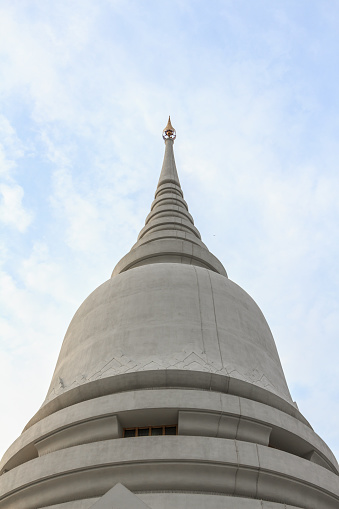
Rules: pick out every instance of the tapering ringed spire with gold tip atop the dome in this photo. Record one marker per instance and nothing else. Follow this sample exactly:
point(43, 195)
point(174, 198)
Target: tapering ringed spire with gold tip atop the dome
point(169, 234)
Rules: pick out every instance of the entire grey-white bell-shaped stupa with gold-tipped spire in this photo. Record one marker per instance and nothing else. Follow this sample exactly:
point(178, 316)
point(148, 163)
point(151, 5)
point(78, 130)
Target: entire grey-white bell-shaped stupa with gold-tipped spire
point(169, 392)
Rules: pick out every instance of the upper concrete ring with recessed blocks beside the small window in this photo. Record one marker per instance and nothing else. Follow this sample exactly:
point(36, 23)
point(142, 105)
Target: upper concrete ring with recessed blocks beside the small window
point(200, 413)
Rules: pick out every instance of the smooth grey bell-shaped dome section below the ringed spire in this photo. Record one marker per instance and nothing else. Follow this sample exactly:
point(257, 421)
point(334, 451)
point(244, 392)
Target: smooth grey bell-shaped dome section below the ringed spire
point(169, 316)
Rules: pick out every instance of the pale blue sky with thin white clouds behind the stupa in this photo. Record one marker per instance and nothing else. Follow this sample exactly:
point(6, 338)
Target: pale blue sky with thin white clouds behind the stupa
point(85, 91)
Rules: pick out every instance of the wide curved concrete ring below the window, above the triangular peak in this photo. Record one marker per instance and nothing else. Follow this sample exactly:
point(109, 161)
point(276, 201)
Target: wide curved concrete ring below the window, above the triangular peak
point(179, 463)
